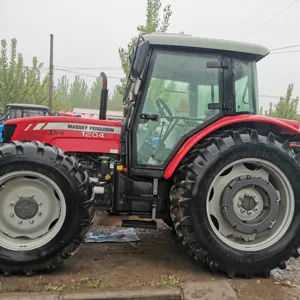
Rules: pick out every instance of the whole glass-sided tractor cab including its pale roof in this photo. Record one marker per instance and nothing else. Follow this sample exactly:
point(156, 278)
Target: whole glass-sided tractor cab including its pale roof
point(179, 85)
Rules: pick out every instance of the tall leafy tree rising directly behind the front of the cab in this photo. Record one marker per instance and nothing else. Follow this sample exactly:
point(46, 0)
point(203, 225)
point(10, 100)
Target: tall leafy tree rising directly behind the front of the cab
point(153, 24)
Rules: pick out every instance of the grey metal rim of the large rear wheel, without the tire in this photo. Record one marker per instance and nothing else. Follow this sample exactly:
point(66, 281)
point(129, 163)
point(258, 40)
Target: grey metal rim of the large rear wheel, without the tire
point(250, 204)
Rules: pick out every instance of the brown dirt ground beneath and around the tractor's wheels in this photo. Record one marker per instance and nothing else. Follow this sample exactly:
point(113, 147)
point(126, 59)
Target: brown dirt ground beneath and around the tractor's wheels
point(157, 260)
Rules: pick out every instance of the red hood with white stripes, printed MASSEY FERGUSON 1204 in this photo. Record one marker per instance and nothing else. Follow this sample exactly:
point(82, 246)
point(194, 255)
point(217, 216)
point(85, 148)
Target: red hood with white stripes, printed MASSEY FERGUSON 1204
point(71, 134)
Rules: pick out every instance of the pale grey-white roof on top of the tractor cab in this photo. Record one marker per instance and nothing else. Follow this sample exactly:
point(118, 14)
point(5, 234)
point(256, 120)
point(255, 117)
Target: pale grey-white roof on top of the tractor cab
point(185, 40)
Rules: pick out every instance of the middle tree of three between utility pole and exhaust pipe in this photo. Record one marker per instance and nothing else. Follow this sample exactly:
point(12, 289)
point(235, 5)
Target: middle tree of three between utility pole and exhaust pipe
point(79, 93)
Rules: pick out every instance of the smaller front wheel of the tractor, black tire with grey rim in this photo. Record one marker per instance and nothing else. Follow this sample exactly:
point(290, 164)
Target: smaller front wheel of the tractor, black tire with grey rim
point(46, 207)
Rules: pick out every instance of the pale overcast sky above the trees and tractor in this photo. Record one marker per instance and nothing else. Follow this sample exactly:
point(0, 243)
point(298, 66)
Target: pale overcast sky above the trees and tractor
point(87, 34)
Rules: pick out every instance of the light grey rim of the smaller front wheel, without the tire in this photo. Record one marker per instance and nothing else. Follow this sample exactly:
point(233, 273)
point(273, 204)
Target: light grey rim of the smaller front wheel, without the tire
point(32, 210)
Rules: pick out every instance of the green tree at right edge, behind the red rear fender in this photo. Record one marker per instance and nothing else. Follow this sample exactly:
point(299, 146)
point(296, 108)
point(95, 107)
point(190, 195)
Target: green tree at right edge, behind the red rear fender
point(286, 108)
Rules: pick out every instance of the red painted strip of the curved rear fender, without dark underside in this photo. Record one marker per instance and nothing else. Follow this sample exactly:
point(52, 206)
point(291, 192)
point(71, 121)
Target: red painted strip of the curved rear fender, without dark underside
point(288, 126)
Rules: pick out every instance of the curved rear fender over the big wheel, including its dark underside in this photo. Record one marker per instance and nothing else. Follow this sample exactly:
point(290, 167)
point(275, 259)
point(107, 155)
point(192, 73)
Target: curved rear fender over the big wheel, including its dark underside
point(267, 124)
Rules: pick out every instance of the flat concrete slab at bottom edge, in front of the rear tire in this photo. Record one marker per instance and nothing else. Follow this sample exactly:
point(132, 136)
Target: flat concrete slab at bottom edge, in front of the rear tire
point(209, 290)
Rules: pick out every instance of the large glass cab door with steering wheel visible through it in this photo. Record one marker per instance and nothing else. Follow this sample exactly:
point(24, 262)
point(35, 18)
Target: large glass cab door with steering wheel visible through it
point(175, 103)
